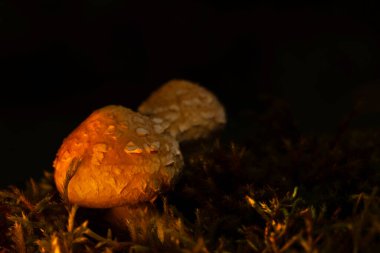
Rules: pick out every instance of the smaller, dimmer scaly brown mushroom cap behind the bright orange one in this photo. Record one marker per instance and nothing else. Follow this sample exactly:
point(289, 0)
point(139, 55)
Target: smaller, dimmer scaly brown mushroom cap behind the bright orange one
point(184, 109)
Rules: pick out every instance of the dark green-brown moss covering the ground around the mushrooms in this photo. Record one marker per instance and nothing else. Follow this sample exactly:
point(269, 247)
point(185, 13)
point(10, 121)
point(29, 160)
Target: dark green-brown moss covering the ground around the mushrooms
point(258, 186)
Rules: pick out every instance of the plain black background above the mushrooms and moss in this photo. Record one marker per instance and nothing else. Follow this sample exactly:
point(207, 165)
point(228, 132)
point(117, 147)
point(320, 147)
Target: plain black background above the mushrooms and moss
point(60, 60)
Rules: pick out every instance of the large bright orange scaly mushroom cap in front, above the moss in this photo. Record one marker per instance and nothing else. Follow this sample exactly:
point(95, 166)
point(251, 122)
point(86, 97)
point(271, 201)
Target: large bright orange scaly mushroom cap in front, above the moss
point(121, 160)
